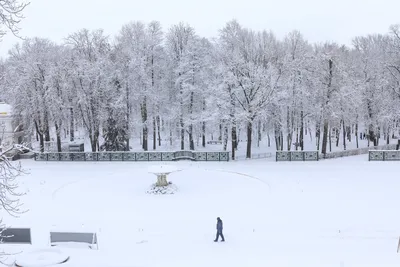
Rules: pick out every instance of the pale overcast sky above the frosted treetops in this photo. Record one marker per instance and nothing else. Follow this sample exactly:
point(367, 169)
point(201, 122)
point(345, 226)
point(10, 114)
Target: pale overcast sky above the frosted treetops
point(318, 20)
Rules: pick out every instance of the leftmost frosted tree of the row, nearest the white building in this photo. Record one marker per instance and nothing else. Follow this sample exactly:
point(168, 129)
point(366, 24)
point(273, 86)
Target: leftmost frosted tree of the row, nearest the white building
point(26, 81)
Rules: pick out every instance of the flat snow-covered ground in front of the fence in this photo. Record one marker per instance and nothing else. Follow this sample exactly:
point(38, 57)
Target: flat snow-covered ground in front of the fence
point(341, 213)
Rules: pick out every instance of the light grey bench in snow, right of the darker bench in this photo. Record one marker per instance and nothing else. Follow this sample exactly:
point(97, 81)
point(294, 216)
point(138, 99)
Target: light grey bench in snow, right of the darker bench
point(74, 239)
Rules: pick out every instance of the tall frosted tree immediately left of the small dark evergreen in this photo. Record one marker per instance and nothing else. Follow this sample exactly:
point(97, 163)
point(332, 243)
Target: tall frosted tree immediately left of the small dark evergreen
point(90, 79)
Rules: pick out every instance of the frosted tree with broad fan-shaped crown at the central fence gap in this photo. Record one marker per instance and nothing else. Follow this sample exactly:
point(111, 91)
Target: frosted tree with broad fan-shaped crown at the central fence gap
point(255, 69)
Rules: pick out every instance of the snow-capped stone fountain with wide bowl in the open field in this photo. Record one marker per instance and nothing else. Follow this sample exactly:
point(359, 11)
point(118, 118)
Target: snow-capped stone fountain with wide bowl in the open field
point(162, 185)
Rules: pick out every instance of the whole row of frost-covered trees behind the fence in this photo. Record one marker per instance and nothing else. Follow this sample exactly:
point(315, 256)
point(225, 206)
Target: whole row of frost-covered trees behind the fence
point(179, 86)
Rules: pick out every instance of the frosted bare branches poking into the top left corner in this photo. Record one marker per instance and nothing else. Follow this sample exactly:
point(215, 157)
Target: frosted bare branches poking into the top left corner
point(11, 15)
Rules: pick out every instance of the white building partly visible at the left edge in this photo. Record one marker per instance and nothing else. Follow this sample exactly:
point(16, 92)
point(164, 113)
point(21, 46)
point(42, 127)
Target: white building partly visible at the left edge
point(11, 132)
